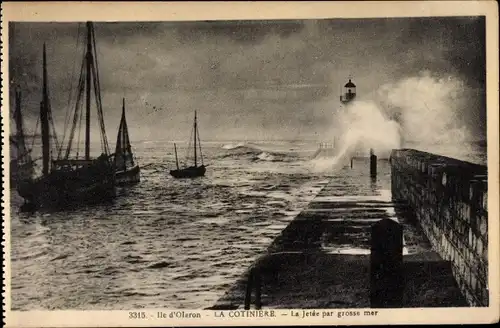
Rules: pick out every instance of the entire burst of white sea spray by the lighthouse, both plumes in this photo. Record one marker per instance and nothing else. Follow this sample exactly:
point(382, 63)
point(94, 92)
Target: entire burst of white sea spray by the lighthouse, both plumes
point(421, 111)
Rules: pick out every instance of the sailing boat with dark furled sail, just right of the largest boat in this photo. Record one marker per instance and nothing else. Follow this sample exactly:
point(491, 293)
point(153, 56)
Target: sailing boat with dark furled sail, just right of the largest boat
point(127, 171)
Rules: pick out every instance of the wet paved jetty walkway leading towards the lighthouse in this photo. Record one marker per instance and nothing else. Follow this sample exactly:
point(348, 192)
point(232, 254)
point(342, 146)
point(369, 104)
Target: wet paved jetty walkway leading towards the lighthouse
point(321, 259)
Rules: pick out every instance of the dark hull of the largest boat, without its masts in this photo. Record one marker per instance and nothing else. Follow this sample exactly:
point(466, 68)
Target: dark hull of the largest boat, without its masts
point(62, 189)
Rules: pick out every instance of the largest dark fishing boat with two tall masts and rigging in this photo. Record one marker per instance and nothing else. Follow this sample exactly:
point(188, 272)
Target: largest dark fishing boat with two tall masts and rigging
point(72, 179)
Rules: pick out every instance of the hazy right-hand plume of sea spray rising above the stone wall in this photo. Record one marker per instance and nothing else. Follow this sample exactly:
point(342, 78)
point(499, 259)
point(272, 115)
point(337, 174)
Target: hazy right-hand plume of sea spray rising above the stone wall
point(428, 108)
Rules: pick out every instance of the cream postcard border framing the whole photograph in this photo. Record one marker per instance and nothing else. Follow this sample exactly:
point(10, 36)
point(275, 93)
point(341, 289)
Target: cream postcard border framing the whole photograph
point(177, 11)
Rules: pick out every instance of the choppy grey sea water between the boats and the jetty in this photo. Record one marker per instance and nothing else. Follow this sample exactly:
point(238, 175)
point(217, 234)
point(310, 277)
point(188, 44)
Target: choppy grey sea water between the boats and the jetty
point(165, 242)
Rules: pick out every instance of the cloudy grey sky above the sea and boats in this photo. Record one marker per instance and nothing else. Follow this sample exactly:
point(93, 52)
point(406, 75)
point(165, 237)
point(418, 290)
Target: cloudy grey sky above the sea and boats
point(259, 80)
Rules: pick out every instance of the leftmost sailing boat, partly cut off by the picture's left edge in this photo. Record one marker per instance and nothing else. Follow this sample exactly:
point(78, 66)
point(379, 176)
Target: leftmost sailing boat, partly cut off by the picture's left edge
point(21, 164)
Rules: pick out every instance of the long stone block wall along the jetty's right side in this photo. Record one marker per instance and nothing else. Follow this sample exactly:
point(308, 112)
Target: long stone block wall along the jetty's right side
point(450, 200)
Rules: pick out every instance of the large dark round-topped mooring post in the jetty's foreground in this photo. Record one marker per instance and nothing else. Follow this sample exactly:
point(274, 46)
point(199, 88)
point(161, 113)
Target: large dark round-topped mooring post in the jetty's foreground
point(386, 265)
